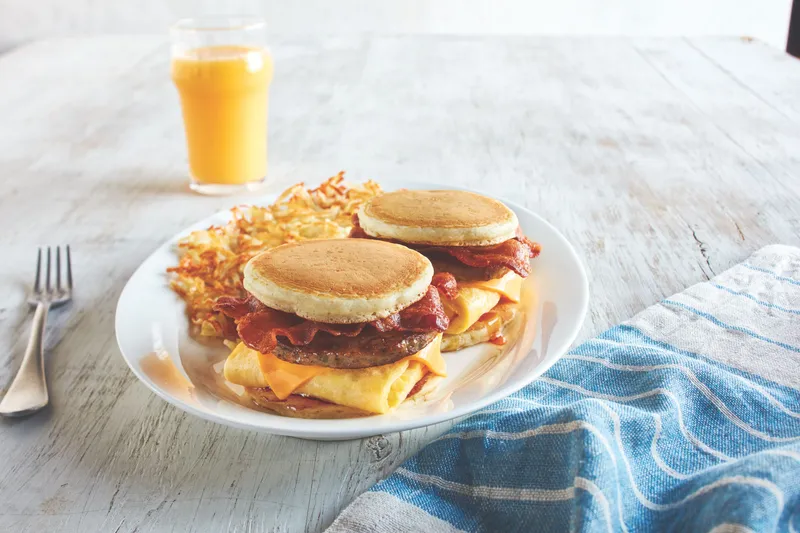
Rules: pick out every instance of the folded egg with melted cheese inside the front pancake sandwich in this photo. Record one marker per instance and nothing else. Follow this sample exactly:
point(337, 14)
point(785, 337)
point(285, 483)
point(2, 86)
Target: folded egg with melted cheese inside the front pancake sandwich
point(376, 389)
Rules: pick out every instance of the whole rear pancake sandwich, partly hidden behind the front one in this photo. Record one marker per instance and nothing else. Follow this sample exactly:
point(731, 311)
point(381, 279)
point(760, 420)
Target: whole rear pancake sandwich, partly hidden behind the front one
point(473, 241)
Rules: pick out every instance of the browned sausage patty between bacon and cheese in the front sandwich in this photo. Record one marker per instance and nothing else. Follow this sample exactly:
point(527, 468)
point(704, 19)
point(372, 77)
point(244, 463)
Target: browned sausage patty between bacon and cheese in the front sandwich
point(370, 348)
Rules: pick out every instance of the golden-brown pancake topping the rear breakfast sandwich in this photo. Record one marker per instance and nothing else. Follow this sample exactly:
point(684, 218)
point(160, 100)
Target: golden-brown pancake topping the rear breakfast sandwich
point(442, 218)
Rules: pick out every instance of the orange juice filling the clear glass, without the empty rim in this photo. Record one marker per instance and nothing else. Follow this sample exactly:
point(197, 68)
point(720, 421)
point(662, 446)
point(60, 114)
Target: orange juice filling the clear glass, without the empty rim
point(224, 97)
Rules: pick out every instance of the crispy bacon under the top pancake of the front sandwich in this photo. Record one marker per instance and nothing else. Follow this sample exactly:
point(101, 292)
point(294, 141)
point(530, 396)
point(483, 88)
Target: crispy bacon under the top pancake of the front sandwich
point(260, 326)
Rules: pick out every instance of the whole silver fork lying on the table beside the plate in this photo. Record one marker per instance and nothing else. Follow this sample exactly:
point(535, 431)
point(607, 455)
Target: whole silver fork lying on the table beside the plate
point(28, 392)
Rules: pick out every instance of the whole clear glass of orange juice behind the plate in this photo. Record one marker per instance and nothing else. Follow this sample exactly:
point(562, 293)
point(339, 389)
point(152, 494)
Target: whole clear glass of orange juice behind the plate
point(222, 70)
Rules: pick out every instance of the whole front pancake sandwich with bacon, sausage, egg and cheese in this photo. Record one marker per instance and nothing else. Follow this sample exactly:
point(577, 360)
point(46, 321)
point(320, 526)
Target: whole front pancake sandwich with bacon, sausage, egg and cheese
point(336, 328)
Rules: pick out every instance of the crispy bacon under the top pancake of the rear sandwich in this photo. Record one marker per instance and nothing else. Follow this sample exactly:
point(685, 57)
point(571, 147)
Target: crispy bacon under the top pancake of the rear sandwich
point(514, 254)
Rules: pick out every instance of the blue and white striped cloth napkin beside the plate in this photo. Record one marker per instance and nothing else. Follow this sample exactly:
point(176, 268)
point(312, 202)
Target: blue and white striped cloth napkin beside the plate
point(685, 418)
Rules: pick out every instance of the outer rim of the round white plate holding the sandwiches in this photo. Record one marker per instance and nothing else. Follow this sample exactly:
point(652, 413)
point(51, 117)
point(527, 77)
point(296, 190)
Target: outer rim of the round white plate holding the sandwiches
point(345, 433)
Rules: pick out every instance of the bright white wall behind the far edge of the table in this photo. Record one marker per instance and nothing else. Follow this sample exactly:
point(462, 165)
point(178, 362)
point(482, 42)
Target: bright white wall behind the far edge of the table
point(22, 20)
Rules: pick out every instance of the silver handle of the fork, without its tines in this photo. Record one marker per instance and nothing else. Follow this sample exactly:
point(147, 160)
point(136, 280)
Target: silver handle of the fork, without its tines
point(28, 391)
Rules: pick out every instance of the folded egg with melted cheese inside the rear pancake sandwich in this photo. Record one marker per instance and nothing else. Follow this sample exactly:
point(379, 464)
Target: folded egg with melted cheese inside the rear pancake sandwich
point(478, 297)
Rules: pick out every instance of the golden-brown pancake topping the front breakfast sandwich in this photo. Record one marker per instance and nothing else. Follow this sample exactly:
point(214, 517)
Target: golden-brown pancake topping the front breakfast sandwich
point(339, 281)
